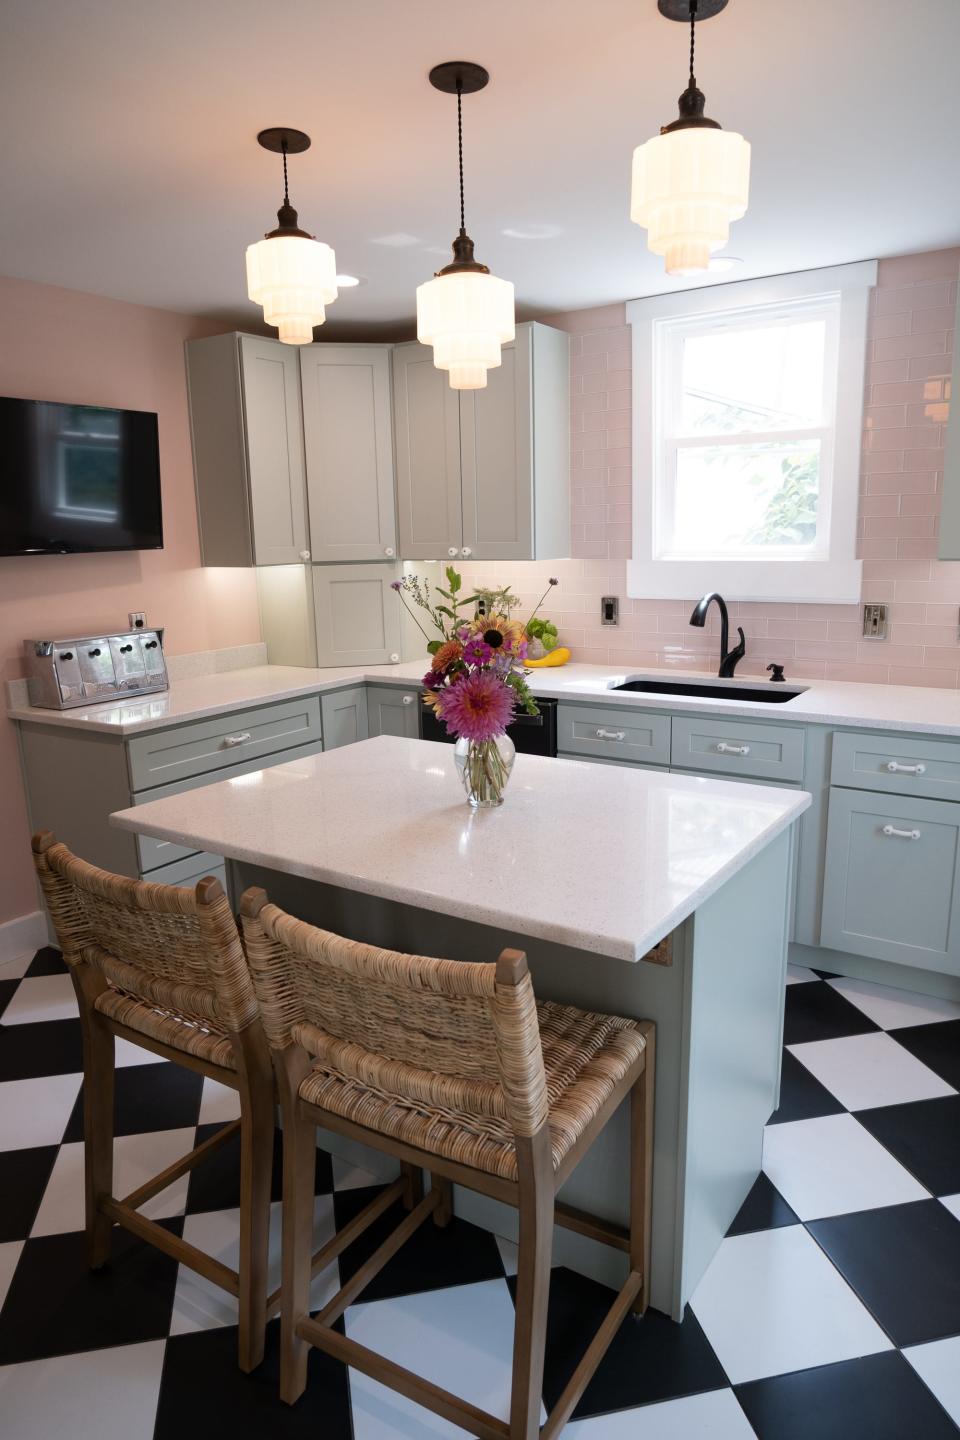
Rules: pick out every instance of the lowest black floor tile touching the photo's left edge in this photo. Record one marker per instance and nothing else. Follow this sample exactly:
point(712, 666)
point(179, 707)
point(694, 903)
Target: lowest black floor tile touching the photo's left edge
point(57, 1307)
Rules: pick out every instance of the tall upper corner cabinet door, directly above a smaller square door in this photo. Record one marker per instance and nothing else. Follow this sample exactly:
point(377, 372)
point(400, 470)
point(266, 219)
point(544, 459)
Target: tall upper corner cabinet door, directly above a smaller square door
point(349, 444)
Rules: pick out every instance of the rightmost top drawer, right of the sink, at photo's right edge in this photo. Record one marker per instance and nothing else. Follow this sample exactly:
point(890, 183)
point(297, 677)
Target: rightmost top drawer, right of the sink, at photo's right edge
point(903, 767)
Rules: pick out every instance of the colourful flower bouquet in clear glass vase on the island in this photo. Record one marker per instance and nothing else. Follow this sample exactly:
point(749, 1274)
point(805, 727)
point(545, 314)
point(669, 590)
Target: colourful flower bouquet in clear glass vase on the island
point(476, 680)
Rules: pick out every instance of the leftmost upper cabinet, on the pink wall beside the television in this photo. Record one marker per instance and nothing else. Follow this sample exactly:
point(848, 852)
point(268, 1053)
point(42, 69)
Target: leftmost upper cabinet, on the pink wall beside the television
point(248, 450)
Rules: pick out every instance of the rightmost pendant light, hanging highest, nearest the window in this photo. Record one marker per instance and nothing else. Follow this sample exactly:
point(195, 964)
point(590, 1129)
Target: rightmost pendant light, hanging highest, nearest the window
point(693, 179)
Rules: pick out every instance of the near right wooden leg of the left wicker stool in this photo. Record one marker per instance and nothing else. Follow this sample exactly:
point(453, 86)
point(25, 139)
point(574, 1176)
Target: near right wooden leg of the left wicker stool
point(257, 1164)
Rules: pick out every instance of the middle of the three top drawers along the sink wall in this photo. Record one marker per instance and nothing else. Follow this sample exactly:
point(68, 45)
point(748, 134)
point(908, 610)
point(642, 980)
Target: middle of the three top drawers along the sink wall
point(768, 752)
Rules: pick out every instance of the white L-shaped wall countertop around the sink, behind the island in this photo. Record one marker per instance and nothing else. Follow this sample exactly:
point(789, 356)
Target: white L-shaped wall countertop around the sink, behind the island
point(836, 703)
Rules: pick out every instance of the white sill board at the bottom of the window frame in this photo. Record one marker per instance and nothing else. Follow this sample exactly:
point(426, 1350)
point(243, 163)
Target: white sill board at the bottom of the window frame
point(802, 582)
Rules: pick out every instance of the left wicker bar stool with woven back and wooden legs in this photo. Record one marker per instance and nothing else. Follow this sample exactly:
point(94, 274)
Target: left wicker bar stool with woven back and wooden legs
point(163, 967)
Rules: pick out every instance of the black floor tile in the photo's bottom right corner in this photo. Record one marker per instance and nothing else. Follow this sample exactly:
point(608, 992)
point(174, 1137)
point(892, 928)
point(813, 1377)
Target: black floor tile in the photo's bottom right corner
point(877, 1398)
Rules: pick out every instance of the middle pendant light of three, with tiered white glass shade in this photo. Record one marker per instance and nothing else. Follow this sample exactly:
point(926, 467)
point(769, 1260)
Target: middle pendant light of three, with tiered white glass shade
point(466, 313)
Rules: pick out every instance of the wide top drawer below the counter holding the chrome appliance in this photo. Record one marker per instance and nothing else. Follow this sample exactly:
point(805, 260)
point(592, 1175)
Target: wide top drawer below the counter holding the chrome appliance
point(207, 747)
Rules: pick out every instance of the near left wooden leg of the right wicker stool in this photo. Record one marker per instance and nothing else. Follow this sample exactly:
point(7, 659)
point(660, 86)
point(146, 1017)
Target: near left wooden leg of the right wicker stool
point(300, 1160)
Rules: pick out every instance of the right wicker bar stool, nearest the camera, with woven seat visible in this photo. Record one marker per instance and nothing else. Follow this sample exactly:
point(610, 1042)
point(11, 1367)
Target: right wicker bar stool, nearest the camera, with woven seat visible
point(456, 1069)
